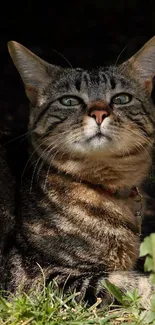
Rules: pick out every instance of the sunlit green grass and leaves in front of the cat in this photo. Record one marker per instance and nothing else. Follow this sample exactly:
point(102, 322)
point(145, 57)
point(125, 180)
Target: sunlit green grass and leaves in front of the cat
point(48, 306)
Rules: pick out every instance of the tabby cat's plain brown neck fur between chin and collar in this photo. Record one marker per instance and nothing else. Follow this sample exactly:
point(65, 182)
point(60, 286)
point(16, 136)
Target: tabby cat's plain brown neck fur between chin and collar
point(121, 172)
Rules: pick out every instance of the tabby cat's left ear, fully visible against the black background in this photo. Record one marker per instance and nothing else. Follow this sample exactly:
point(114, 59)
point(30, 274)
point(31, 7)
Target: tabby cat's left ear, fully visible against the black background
point(34, 71)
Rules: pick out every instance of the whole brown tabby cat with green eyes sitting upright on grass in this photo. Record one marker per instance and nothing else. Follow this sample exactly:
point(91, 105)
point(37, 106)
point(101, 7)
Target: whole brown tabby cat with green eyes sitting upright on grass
point(91, 136)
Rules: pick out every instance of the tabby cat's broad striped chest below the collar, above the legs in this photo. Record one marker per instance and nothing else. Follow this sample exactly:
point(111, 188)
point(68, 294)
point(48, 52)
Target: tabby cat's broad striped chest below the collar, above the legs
point(79, 225)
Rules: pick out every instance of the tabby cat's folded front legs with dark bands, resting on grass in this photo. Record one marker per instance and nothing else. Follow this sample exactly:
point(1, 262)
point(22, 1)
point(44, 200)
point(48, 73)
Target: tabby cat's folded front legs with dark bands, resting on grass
point(90, 287)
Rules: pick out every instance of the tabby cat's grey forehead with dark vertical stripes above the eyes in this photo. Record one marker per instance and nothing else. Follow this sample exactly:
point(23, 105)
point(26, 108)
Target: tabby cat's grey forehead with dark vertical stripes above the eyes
point(91, 83)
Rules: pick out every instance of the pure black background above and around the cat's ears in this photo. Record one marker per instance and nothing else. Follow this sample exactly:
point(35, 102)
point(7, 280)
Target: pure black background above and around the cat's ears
point(87, 33)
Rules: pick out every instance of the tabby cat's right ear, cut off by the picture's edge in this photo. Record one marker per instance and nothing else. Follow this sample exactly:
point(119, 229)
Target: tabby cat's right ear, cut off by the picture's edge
point(143, 63)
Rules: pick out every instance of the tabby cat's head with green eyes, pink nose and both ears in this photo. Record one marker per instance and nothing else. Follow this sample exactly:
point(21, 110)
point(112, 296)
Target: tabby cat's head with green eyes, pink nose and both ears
point(106, 111)
